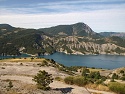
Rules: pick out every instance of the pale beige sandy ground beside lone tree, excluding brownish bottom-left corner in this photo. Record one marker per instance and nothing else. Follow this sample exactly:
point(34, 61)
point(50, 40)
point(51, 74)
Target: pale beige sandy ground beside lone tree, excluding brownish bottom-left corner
point(24, 73)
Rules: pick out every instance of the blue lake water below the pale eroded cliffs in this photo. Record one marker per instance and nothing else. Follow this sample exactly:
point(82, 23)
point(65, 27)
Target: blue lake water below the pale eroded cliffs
point(98, 61)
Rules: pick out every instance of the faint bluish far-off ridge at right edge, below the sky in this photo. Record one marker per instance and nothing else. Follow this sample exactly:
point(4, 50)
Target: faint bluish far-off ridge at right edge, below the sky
point(108, 34)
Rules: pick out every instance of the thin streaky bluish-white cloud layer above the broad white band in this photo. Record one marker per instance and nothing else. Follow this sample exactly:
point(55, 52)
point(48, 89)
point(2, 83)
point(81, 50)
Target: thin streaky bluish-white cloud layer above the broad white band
point(64, 7)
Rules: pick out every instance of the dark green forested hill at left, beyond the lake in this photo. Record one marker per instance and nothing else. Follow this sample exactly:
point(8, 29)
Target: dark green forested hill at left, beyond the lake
point(20, 40)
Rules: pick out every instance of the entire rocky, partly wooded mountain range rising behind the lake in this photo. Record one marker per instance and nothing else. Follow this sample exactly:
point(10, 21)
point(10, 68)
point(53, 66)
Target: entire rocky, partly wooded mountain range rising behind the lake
point(77, 38)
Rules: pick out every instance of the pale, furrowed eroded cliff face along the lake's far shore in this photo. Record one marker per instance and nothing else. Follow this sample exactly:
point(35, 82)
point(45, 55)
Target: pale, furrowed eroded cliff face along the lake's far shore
point(82, 47)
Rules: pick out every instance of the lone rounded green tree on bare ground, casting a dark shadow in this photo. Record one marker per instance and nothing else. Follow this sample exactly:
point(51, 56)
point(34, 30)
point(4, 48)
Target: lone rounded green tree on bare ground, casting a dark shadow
point(43, 80)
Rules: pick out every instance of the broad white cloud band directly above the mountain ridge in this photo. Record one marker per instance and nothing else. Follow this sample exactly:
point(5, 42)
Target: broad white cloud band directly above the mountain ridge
point(104, 20)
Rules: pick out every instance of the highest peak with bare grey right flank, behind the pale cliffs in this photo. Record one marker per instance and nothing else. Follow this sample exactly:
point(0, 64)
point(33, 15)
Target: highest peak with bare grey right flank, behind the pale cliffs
point(78, 29)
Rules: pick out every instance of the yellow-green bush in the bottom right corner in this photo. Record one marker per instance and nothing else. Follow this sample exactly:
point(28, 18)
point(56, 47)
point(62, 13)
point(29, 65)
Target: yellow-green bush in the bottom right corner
point(117, 87)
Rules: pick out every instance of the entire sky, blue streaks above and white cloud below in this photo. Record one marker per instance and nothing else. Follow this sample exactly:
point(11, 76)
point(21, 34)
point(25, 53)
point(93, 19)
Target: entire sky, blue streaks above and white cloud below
point(100, 15)
